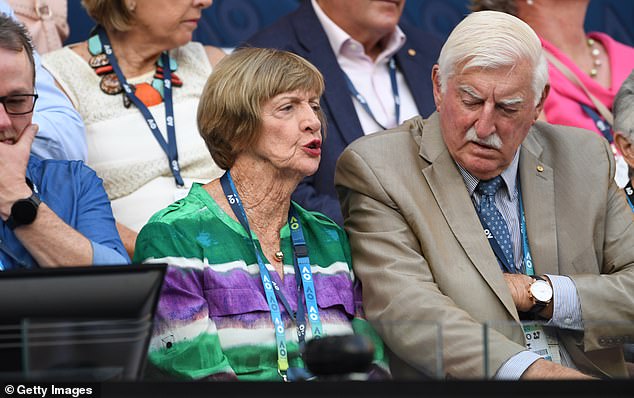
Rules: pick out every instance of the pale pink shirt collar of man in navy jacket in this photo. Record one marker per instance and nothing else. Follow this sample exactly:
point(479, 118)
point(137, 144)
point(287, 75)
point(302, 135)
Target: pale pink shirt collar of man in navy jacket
point(340, 40)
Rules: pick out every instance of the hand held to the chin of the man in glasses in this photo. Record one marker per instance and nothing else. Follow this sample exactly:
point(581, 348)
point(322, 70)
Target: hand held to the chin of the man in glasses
point(14, 157)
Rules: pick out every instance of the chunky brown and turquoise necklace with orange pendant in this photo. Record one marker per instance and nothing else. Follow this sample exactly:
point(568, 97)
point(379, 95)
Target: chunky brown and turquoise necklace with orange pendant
point(149, 94)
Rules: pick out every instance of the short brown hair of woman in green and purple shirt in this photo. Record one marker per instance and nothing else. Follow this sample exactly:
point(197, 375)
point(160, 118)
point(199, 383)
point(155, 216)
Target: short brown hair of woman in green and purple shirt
point(229, 112)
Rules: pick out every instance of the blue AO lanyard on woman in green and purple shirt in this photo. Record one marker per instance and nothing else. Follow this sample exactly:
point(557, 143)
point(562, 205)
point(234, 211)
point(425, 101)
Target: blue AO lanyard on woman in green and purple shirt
point(271, 289)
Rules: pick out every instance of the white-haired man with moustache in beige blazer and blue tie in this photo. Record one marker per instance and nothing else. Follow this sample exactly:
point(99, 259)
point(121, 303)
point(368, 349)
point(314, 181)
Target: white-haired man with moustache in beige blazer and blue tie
point(479, 215)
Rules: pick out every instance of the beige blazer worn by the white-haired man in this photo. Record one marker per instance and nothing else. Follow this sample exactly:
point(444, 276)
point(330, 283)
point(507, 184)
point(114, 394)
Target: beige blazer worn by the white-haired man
point(422, 256)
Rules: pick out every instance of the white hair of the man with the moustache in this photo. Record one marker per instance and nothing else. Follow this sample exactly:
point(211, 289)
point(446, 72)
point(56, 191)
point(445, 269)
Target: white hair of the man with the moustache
point(492, 40)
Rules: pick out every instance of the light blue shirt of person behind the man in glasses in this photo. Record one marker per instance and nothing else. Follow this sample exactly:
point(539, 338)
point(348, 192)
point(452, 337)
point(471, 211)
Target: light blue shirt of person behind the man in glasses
point(61, 133)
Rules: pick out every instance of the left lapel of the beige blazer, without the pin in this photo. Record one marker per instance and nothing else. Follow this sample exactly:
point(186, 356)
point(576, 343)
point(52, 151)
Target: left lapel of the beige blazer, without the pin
point(452, 197)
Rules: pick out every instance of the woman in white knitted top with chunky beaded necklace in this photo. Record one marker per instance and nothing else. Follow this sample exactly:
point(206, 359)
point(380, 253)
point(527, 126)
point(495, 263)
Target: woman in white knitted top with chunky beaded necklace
point(136, 82)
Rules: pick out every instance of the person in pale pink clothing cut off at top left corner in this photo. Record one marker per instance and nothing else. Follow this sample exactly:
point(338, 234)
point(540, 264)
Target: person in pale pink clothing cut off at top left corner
point(45, 20)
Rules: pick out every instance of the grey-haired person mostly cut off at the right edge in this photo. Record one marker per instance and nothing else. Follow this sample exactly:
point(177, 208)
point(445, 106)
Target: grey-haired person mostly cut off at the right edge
point(624, 130)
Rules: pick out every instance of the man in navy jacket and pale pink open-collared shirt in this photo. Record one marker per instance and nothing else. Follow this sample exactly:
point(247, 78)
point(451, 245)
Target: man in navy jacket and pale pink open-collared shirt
point(375, 72)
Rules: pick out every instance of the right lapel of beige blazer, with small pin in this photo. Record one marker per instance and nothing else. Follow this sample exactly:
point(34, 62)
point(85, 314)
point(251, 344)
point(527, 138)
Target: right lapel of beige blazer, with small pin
point(538, 194)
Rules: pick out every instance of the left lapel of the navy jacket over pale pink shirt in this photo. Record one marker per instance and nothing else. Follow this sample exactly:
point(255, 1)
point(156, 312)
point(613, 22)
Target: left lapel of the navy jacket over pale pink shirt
point(336, 98)
